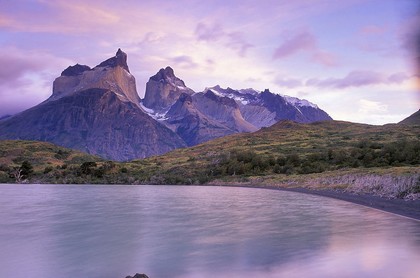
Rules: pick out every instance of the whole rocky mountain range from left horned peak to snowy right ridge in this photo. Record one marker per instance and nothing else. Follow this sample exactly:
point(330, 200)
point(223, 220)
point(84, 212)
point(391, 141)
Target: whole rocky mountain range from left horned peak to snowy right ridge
point(98, 111)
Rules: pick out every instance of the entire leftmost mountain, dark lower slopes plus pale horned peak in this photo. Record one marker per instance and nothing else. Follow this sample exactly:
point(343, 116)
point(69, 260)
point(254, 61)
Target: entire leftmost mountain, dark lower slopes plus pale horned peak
point(95, 111)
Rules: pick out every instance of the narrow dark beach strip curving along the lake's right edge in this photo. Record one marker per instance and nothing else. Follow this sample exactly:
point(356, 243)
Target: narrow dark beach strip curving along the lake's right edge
point(401, 207)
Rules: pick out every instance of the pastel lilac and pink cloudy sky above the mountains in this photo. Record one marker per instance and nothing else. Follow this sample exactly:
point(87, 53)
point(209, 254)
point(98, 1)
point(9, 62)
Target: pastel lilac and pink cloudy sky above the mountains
point(352, 58)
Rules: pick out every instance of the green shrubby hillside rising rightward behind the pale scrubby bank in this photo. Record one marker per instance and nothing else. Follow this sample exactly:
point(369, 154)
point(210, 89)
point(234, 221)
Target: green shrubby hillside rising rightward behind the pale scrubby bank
point(288, 148)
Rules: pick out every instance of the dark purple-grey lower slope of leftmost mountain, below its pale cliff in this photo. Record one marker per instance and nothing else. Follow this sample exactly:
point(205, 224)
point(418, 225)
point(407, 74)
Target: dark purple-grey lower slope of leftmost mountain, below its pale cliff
point(95, 121)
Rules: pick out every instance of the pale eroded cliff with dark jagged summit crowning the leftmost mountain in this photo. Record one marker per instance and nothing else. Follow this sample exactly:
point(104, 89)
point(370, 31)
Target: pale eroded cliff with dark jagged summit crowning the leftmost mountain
point(112, 74)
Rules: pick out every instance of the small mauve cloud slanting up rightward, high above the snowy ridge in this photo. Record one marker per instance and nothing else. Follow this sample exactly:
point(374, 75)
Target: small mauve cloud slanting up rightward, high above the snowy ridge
point(302, 41)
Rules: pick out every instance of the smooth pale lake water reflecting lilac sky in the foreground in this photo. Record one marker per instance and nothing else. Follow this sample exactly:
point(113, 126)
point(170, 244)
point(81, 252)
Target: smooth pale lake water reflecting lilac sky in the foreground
point(192, 231)
